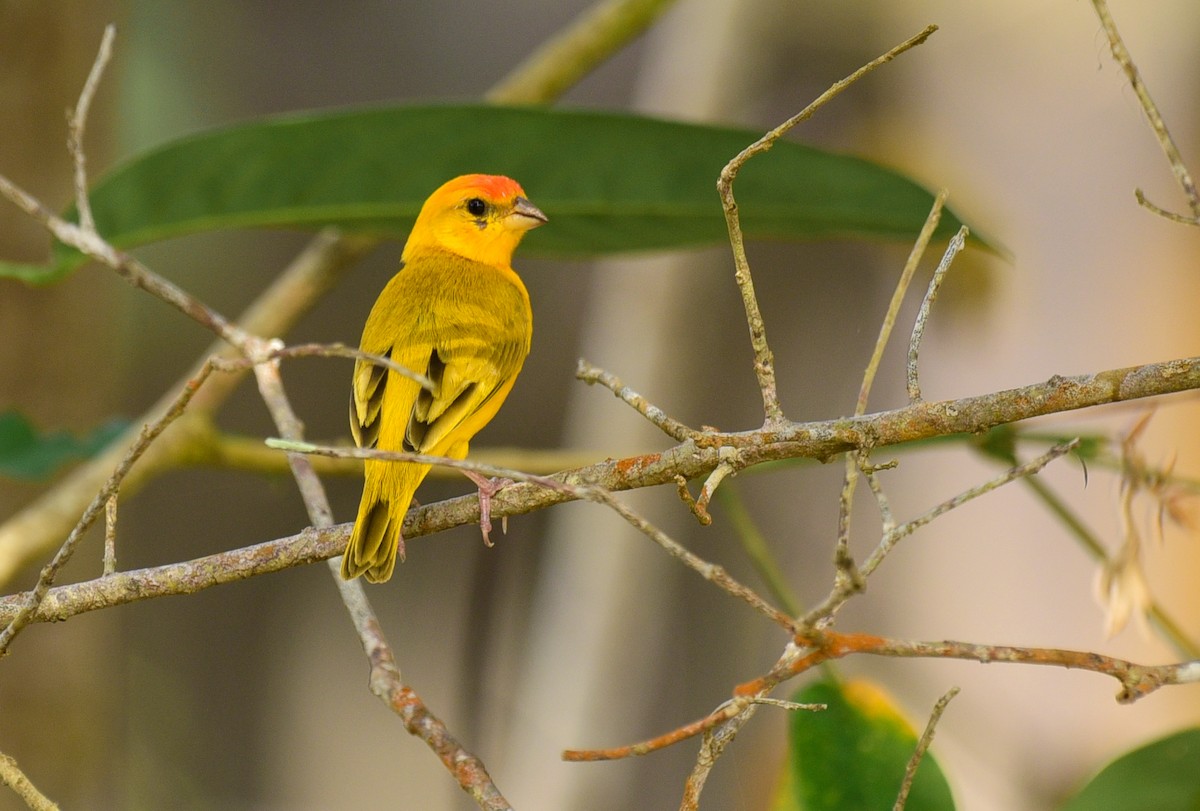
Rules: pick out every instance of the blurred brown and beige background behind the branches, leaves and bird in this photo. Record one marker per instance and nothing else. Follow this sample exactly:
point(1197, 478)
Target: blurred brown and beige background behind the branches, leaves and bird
point(573, 633)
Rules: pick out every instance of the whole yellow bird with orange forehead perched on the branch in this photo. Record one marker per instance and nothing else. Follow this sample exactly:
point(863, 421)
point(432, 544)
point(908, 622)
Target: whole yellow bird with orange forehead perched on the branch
point(458, 314)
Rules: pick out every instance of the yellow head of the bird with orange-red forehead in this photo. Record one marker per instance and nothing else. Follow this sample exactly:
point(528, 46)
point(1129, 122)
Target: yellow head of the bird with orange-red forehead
point(482, 218)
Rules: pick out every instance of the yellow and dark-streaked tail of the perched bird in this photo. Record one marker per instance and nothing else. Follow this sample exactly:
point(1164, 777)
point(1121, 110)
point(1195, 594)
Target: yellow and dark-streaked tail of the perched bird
point(376, 540)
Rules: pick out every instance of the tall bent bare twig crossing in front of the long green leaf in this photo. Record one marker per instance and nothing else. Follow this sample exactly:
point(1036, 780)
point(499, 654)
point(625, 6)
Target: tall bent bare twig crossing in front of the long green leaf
point(765, 363)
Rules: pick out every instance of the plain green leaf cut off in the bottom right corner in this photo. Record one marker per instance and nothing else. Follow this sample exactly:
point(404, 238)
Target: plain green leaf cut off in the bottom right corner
point(1163, 776)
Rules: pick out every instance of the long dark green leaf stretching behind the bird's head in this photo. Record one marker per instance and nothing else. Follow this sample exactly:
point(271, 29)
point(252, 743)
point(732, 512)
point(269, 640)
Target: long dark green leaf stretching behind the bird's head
point(610, 183)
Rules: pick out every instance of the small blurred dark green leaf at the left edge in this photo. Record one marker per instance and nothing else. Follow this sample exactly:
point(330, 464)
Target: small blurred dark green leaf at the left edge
point(29, 455)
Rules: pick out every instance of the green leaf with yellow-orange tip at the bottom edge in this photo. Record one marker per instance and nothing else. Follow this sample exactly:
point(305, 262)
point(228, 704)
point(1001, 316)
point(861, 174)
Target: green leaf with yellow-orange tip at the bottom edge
point(853, 756)
